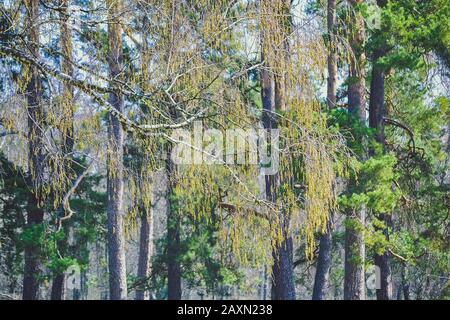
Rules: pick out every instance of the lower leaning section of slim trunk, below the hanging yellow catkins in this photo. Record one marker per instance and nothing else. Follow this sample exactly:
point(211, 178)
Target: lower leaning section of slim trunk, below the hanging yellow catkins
point(321, 279)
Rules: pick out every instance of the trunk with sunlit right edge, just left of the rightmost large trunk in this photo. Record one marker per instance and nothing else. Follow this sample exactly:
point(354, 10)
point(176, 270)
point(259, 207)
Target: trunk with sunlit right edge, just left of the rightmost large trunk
point(354, 279)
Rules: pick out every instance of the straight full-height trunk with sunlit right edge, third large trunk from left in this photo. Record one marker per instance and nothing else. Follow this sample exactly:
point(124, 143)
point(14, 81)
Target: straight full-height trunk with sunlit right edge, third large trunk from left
point(116, 241)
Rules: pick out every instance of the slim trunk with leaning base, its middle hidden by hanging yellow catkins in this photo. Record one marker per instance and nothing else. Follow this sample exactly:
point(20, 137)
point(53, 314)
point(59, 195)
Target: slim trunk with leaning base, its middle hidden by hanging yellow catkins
point(326, 240)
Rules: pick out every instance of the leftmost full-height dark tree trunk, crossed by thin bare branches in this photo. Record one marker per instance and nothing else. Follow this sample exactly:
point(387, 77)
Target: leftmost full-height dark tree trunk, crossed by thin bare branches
point(35, 213)
